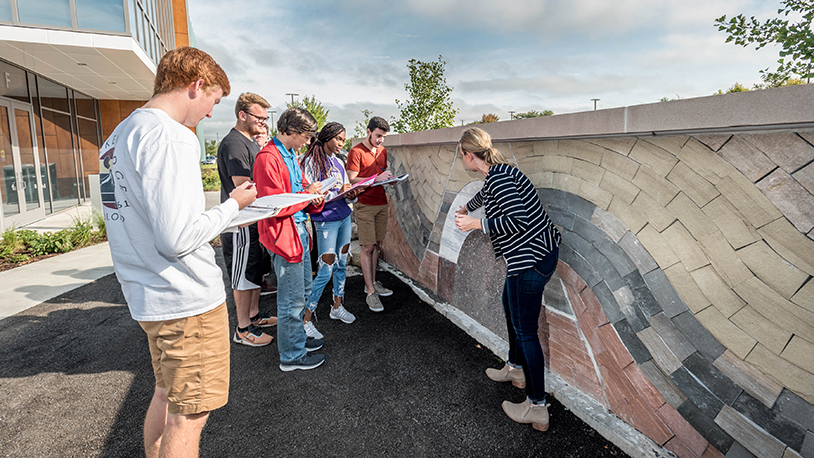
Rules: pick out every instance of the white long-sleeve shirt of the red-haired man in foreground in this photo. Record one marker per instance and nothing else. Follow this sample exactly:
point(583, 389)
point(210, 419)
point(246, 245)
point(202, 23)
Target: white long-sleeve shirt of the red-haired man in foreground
point(157, 225)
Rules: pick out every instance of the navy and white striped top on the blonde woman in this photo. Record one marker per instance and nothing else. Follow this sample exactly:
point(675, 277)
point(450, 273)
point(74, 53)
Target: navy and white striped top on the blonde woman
point(519, 227)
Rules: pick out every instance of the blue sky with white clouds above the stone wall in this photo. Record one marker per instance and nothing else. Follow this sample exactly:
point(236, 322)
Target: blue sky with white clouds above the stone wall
point(501, 55)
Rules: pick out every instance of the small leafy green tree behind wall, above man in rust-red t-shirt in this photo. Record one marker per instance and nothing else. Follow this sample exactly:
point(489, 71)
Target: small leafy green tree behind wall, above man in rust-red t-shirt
point(428, 105)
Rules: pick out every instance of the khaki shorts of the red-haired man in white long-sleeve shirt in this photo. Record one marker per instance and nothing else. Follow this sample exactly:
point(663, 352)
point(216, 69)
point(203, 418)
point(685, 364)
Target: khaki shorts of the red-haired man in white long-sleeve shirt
point(191, 360)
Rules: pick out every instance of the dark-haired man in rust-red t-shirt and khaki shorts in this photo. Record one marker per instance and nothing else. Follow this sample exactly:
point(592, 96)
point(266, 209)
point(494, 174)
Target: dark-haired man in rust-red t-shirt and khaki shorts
point(364, 161)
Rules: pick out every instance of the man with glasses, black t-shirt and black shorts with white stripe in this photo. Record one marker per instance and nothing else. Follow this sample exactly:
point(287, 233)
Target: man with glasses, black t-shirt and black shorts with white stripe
point(242, 252)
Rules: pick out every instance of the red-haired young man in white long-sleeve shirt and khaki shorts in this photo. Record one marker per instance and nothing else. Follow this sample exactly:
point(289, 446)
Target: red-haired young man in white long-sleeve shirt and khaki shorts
point(159, 239)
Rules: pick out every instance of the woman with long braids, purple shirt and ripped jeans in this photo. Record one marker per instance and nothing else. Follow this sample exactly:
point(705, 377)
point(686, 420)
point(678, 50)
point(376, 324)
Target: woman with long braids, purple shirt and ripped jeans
point(332, 225)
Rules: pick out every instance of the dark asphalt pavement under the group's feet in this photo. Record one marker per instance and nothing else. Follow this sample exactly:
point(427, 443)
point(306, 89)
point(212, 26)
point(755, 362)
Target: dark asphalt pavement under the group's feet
point(76, 380)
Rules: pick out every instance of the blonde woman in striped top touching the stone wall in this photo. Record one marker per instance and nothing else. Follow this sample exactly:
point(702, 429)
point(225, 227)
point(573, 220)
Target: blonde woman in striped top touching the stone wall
point(524, 235)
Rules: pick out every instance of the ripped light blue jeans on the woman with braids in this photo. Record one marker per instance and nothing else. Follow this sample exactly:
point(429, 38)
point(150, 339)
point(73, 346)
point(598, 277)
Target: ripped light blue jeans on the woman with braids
point(332, 237)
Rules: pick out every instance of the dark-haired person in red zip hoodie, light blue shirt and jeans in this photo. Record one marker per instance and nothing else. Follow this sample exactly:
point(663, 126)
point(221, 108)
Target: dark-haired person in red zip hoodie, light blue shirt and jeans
point(277, 171)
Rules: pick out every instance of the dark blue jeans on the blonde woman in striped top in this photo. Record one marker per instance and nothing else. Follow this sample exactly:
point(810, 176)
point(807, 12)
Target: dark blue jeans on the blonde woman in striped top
point(522, 302)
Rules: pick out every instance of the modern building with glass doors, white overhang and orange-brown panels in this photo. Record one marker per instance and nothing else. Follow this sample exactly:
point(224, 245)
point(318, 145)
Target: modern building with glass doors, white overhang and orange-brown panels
point(70, 71)
